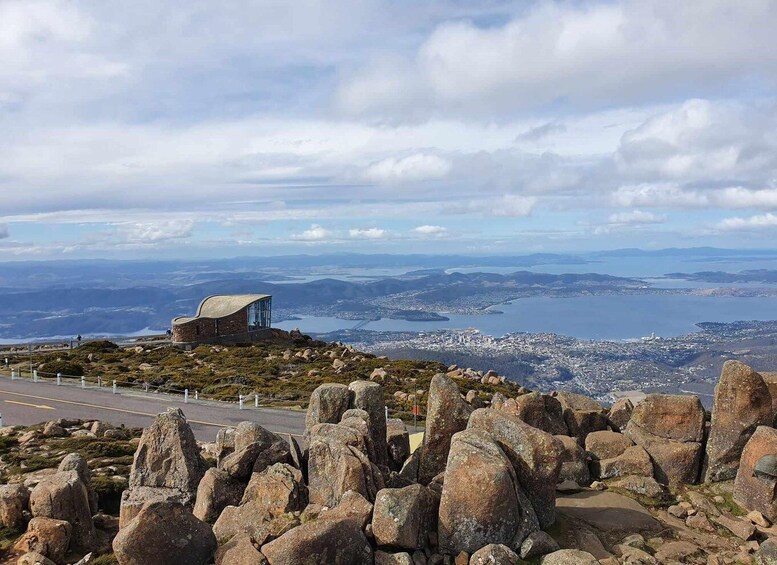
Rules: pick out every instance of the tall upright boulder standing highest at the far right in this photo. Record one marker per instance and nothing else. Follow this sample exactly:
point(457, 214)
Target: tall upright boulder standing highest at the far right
point(742, 403)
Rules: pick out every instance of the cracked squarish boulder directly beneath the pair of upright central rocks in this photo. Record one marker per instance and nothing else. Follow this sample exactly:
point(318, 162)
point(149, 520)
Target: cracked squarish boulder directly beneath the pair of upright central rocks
point(337, 463)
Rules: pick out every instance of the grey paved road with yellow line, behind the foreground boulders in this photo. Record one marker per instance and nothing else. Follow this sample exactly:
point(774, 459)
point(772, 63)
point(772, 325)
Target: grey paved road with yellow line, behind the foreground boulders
point(24, 403)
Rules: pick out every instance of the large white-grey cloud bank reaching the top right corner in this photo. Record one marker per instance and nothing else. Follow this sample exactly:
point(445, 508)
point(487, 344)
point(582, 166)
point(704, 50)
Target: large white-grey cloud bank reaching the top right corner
point(554, 53)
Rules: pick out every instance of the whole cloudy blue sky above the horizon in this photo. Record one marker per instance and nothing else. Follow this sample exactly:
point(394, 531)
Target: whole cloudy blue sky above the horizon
point(184, 129)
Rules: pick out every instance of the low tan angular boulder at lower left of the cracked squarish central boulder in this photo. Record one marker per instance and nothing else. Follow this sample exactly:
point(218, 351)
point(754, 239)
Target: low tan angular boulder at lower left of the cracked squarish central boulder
point(279, 489)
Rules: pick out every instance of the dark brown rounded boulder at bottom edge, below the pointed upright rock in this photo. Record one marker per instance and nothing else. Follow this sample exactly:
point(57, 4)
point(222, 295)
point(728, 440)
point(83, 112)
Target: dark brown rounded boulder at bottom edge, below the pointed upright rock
point(164, 533)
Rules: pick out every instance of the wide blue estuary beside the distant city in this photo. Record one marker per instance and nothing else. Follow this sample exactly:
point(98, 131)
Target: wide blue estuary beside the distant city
point(613, 317)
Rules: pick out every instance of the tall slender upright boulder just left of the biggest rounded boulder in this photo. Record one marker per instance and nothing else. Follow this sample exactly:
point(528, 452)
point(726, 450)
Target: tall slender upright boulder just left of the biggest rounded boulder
point(446, 414)
